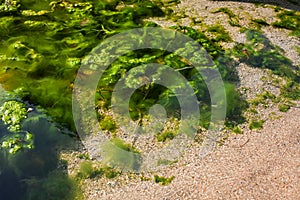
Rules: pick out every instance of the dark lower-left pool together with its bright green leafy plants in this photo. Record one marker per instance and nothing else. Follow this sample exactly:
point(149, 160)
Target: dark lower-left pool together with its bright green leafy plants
point(29, 154)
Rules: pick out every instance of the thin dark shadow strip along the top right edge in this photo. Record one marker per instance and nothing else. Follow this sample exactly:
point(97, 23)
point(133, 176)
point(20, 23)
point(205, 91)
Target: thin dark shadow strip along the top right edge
point(288, 4)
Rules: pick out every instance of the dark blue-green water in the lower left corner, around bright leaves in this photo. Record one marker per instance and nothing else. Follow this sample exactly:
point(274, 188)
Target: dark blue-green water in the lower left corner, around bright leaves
point(19, 170)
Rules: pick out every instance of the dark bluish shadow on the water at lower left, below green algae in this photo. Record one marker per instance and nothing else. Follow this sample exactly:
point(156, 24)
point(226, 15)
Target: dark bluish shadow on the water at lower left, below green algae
point(26, 174)
